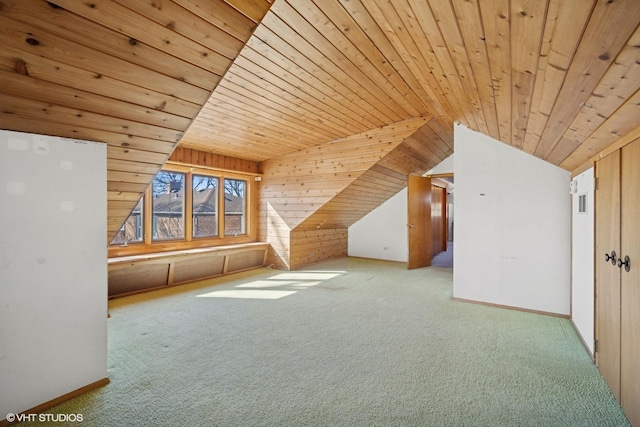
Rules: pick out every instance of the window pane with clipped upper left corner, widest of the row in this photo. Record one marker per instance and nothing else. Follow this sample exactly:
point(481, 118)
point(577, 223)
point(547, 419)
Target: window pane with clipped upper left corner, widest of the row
point(168, 206)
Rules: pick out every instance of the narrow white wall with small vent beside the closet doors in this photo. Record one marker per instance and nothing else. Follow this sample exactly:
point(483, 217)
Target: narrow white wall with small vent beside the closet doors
point(582, 267)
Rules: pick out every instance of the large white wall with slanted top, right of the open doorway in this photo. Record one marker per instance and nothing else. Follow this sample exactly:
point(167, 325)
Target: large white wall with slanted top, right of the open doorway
point(513, 226)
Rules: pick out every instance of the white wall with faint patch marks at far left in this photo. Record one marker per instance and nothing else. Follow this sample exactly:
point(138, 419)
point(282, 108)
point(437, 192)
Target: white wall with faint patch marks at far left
point(53, 269)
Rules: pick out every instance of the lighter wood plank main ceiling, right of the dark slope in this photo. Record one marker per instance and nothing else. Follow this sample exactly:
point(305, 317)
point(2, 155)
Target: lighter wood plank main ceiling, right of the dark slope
point(558, 78)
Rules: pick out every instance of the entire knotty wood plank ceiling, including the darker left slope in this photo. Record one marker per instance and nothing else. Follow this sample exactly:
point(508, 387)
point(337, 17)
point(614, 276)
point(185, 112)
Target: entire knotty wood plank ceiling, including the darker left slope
point(556, 78)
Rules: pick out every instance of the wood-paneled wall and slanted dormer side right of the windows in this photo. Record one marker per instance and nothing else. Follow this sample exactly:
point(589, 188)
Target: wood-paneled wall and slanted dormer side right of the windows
point(330, 187)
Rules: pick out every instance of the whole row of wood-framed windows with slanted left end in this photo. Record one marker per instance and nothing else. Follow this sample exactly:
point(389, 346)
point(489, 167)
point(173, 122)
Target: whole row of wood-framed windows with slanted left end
point(187, 206)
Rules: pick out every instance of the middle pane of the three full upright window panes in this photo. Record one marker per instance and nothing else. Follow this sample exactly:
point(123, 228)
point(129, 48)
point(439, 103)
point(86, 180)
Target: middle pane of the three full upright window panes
point(204, 203)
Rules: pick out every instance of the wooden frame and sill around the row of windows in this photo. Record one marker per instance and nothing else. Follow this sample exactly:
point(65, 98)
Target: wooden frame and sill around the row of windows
point(148, 245)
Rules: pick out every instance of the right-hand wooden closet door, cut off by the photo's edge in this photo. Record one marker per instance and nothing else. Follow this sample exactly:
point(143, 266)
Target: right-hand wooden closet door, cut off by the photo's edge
point(630, 282)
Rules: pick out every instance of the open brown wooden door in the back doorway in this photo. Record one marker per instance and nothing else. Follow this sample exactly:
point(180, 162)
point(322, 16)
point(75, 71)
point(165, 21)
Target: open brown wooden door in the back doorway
point(419, 221)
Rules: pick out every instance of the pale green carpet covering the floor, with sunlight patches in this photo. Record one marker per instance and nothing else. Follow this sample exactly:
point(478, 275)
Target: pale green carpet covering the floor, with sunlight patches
point(348, 342)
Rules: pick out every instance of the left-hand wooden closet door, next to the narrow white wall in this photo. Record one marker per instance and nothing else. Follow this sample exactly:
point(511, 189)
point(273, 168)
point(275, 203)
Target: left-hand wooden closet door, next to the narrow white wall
point(607, 274)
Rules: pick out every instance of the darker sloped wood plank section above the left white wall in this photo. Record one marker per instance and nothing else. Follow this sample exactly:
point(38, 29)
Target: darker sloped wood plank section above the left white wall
point(133, 74)
